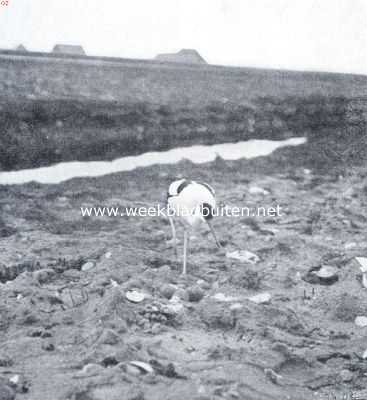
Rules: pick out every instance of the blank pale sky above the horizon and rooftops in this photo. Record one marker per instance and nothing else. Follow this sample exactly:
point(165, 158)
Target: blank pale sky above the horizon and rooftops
point(317, 35)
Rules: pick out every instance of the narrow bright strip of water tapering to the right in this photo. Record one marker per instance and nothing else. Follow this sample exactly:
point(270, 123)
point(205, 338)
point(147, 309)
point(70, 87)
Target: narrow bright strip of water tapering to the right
point(197, 154)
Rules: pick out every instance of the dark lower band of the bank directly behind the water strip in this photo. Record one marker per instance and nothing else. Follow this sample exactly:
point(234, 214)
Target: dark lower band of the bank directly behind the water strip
point(41, 132)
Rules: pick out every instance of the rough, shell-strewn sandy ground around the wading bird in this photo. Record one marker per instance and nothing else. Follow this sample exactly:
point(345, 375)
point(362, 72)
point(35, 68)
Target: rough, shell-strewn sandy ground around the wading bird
point(68, 331)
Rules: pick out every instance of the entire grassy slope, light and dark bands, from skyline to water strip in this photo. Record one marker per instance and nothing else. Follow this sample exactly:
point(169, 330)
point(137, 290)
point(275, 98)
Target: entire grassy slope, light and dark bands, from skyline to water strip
point(54, 110)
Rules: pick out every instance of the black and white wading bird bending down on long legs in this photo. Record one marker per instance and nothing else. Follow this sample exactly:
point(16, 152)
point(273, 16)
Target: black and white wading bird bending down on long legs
point(192, 204)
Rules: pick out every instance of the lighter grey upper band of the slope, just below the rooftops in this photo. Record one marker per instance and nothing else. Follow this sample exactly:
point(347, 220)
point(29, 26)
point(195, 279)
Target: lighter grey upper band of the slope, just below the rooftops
point(162, 83)
